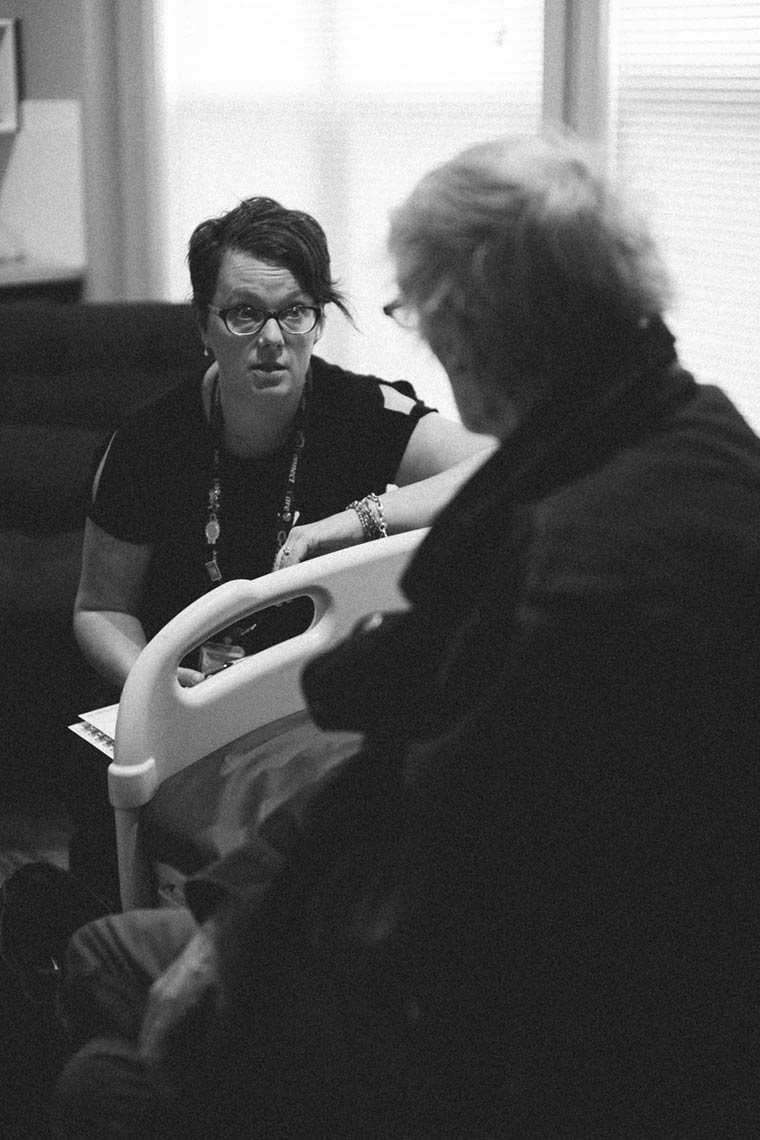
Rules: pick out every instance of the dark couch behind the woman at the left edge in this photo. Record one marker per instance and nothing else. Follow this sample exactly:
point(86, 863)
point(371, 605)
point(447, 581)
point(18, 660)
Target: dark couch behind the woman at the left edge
point(69, 373)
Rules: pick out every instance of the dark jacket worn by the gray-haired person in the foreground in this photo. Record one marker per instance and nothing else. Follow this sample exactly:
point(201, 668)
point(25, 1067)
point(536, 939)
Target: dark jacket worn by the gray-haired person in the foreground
point(530, 907)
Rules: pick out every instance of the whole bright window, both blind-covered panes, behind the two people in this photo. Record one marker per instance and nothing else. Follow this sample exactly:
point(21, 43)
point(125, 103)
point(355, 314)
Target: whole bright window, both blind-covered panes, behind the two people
point(339, 107)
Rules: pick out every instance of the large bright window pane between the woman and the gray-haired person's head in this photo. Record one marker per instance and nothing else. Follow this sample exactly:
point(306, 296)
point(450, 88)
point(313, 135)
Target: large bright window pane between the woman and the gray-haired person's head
point(338, 108)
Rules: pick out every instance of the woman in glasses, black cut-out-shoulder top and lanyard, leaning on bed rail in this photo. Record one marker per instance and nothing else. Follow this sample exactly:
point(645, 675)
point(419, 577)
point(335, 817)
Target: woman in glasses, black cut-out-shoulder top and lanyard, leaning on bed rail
point(276, 457)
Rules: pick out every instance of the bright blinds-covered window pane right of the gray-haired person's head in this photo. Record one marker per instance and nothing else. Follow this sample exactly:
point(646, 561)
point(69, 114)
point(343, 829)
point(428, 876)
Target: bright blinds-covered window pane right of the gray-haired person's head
point(687, 140)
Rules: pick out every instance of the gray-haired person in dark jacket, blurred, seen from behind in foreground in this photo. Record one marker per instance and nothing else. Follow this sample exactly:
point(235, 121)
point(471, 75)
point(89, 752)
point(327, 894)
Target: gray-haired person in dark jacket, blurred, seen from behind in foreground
point(529, 906)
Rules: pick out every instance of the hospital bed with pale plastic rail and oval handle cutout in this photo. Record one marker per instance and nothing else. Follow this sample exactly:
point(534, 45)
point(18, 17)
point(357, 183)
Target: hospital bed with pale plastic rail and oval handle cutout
point(195, 769)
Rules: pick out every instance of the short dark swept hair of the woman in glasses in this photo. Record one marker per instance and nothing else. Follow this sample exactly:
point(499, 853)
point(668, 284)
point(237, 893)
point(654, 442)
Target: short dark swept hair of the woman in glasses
point(265, 230)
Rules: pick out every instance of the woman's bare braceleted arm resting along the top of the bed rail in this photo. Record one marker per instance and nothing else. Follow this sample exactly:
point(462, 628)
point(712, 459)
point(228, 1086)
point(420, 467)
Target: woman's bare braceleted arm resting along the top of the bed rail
point(440, 458)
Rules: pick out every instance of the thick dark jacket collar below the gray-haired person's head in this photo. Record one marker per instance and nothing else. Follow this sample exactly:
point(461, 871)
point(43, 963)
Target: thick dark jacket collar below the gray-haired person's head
point(561, 441)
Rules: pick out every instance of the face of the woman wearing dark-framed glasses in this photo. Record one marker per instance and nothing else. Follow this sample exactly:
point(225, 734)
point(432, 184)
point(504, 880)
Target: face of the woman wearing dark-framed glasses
point(269, 365)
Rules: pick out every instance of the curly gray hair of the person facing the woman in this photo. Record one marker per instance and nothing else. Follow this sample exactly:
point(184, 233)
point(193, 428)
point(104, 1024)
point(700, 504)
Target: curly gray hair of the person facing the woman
point(525, 255)
